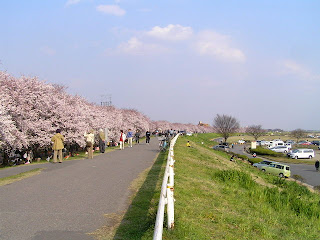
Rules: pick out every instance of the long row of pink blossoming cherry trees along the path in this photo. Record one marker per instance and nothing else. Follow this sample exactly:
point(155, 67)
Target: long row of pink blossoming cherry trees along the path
point(31, 111)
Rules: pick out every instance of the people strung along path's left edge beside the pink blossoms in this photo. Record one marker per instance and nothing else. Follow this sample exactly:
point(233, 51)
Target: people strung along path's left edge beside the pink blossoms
point(58, 142)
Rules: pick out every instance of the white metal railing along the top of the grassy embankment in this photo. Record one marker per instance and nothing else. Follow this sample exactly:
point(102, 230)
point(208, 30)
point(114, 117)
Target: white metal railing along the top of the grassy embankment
point(166, 195)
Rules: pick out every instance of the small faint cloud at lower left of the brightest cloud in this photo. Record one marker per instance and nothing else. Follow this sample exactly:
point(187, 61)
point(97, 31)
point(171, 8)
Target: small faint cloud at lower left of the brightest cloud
point(136, 47)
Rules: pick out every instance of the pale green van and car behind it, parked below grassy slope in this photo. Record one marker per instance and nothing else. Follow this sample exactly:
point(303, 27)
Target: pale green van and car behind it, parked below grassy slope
point(274, 168)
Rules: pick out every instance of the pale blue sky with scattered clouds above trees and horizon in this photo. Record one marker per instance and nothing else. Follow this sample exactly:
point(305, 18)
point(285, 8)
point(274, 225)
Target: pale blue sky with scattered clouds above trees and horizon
point(175, 60)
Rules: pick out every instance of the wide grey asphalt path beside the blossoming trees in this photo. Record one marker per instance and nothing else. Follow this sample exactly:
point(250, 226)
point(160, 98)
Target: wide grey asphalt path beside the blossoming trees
point(68, 200)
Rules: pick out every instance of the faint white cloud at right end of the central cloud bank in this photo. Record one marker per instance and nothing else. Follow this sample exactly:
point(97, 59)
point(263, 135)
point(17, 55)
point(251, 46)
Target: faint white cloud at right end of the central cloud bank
point(218, 46)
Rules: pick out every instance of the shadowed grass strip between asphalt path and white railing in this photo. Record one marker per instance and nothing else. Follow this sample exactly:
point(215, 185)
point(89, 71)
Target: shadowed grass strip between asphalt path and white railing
point(140, 217)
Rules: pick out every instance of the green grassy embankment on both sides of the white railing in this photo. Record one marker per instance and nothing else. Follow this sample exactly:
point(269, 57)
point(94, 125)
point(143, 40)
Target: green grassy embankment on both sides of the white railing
point(219, 199)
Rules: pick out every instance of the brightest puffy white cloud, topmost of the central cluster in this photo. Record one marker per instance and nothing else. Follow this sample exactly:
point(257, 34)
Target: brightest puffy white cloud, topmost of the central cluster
point(171, 32)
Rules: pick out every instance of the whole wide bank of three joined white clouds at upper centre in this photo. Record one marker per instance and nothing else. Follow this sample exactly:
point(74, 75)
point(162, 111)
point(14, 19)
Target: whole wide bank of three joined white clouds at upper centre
point(180, 39)
